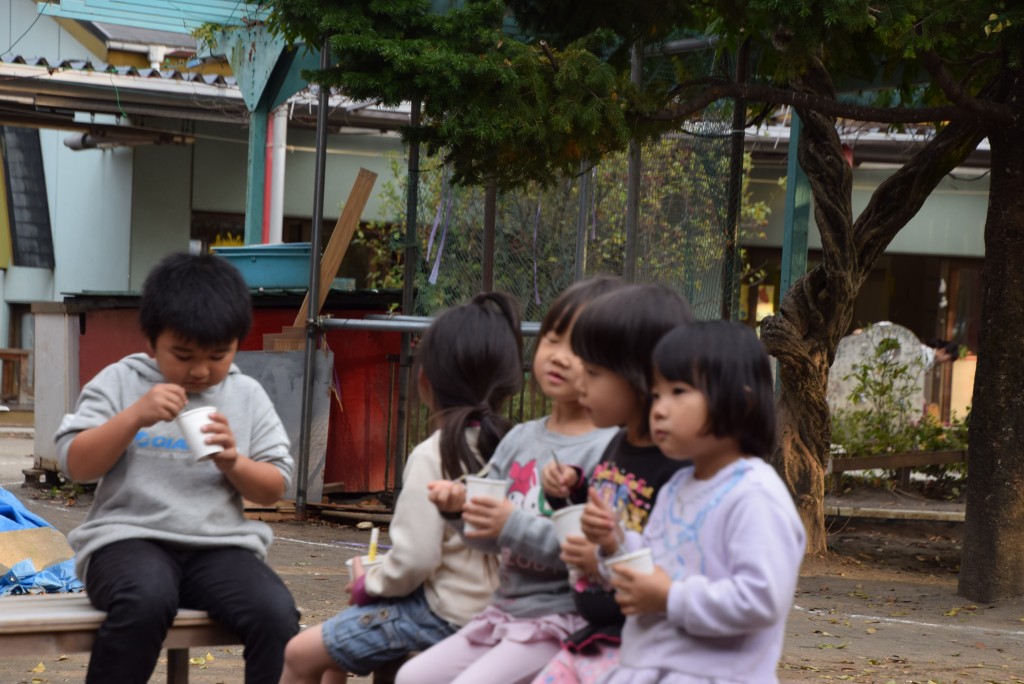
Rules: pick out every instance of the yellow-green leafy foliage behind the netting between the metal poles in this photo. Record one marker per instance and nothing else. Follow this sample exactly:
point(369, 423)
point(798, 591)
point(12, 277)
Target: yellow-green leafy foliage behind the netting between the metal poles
point(681, 238)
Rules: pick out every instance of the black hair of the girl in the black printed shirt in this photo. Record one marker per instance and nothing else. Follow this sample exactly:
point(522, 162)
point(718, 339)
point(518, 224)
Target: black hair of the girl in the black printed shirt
point(619, 330)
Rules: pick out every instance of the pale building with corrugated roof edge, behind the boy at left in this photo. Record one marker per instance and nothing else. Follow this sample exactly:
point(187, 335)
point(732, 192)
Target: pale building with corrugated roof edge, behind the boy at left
point(131, 155)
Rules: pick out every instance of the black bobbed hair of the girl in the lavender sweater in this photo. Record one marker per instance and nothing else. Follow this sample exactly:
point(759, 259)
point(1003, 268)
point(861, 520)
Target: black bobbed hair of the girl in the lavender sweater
point(729, 364)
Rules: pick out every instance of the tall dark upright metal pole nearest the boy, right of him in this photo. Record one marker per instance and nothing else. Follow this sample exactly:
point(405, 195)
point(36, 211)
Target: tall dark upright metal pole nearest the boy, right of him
point(313, 313)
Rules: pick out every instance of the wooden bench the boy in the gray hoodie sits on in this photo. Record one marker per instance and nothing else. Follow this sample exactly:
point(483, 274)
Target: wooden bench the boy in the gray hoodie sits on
point(60, 624)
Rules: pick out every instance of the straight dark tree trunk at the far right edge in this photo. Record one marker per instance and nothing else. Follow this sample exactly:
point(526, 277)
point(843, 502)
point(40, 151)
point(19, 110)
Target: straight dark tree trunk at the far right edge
point(993, 563)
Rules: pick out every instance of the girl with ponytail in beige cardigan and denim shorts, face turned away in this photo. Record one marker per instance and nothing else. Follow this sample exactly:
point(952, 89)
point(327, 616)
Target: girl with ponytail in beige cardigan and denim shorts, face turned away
point(468, 363)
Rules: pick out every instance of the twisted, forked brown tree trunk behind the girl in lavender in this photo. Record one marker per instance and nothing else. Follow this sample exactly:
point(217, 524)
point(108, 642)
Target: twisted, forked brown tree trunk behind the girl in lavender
point(818, 311)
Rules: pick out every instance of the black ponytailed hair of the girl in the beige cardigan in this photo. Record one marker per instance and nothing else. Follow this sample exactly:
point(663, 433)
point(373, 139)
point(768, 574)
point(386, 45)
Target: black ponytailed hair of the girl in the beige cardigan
point(472, 357)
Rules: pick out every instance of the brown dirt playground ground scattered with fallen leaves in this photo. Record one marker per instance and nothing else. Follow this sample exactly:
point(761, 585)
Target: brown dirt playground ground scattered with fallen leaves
point(880, 608)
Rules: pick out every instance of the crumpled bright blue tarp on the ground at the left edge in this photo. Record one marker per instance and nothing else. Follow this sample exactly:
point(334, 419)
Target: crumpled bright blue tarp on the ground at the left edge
point(23, 578)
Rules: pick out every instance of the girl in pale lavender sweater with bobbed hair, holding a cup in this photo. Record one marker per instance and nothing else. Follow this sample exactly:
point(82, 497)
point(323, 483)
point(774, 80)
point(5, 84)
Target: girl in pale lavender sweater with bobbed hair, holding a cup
point(726, 536)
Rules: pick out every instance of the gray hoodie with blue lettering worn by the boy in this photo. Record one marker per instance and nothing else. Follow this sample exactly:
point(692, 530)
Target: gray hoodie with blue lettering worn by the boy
point(156, 491)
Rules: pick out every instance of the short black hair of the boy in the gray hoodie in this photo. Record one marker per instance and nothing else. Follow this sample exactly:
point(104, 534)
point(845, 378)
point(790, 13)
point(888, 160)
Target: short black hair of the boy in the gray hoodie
point(201, 297)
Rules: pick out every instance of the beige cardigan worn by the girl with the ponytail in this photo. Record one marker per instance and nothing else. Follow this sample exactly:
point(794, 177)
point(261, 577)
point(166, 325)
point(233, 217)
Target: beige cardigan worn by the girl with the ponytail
point(458, 581)
